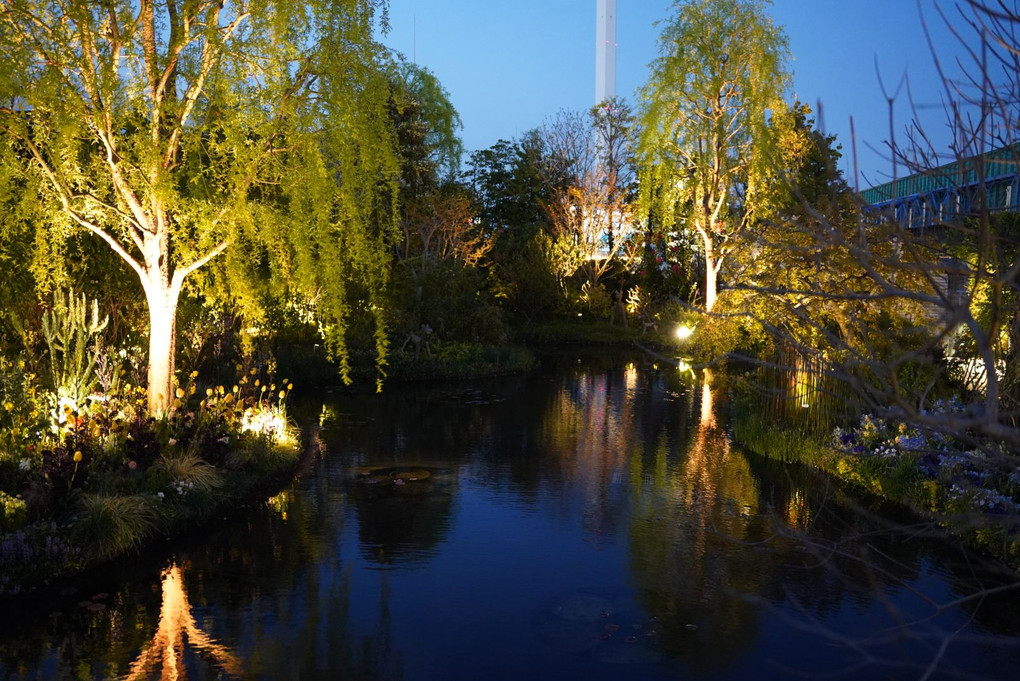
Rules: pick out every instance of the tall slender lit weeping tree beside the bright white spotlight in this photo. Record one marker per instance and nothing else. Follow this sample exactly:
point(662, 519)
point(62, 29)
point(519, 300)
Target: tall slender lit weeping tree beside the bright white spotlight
point(706, 141)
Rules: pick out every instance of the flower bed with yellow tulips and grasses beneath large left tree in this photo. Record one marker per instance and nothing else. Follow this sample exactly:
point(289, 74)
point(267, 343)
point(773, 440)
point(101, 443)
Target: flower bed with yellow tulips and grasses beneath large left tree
point(113, 477)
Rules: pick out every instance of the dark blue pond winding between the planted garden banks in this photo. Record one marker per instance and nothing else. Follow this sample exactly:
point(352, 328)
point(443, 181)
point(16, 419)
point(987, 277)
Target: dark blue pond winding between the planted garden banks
point(589, 520)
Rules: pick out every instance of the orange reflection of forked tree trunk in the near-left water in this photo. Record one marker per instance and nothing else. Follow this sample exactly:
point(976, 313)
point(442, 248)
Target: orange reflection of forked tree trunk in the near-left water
point(166, 652)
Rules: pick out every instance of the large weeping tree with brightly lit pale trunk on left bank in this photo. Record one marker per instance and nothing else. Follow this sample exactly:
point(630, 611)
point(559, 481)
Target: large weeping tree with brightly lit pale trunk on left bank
point(249, 133)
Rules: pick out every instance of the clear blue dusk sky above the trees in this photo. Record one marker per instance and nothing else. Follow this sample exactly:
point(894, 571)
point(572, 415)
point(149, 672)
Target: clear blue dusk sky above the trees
point(512, 65)
